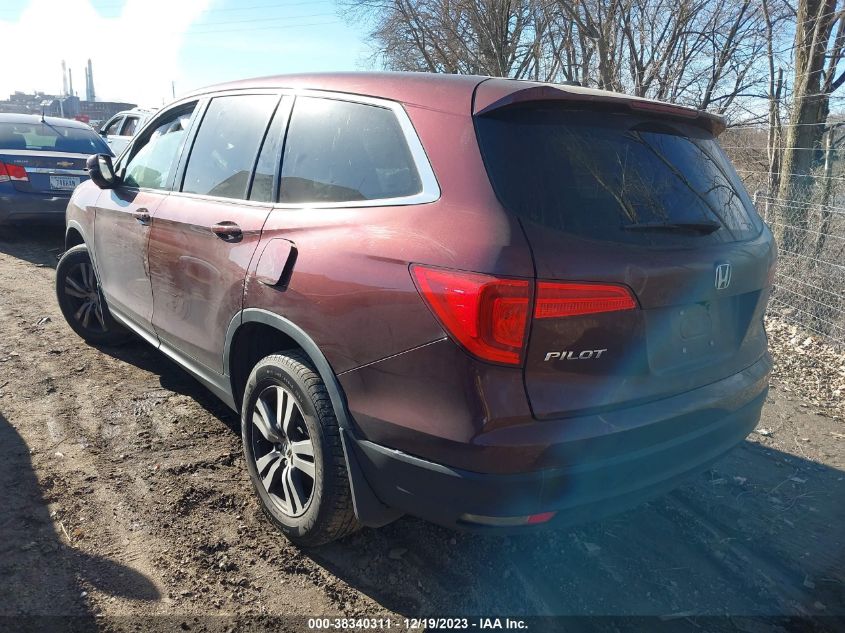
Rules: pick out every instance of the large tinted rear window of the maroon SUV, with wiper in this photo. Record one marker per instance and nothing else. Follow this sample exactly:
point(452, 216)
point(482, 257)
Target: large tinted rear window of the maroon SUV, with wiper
point(608, 176)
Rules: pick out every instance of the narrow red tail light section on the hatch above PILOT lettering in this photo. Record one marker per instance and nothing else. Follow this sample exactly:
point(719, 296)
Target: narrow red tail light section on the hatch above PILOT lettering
point(555, 300)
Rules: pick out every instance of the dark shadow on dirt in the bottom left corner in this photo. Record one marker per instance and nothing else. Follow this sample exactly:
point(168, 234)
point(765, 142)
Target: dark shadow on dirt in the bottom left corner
point(43, 575)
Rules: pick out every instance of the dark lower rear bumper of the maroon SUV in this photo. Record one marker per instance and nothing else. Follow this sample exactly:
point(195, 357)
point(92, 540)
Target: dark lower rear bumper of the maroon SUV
point(605, 475)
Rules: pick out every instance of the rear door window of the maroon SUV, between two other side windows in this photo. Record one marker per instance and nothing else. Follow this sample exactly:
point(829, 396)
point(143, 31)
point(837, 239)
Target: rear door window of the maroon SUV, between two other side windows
point(226, 145)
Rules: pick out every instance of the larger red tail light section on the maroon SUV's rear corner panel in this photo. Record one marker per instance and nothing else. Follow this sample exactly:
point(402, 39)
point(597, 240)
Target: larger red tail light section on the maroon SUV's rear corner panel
point(487, 315)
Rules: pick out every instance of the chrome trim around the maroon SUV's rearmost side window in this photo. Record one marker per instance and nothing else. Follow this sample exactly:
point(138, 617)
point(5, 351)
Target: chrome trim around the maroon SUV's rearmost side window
point(430, 191)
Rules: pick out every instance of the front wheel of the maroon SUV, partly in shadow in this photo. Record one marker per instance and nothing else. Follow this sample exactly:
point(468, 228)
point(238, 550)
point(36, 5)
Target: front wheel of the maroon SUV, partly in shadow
point(81, 300)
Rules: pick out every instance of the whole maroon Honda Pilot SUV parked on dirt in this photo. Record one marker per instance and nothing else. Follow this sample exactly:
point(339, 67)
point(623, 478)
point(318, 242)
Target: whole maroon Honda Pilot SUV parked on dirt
point(489, 303)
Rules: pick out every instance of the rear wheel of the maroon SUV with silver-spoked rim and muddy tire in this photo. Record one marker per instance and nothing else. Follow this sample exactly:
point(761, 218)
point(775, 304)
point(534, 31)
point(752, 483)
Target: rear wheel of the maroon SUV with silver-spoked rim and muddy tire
point(308, 509)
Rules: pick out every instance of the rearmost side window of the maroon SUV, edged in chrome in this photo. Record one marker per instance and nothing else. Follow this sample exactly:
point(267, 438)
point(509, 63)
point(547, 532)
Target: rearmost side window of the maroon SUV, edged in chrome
point(338, 151)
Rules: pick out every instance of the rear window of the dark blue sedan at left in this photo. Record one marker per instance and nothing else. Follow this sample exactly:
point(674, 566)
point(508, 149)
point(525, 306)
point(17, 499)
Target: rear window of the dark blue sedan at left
point(47, 137)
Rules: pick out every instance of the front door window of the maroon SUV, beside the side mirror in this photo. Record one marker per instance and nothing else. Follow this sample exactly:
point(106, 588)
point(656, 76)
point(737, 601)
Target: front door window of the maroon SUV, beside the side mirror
point(152, 165)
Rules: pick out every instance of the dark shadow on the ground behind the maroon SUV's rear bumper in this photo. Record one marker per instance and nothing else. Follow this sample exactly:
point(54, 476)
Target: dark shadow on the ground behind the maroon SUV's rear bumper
point(759, 534)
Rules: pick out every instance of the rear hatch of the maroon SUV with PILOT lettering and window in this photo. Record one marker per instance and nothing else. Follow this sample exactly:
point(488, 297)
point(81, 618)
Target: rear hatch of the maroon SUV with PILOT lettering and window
point(632, 203)
